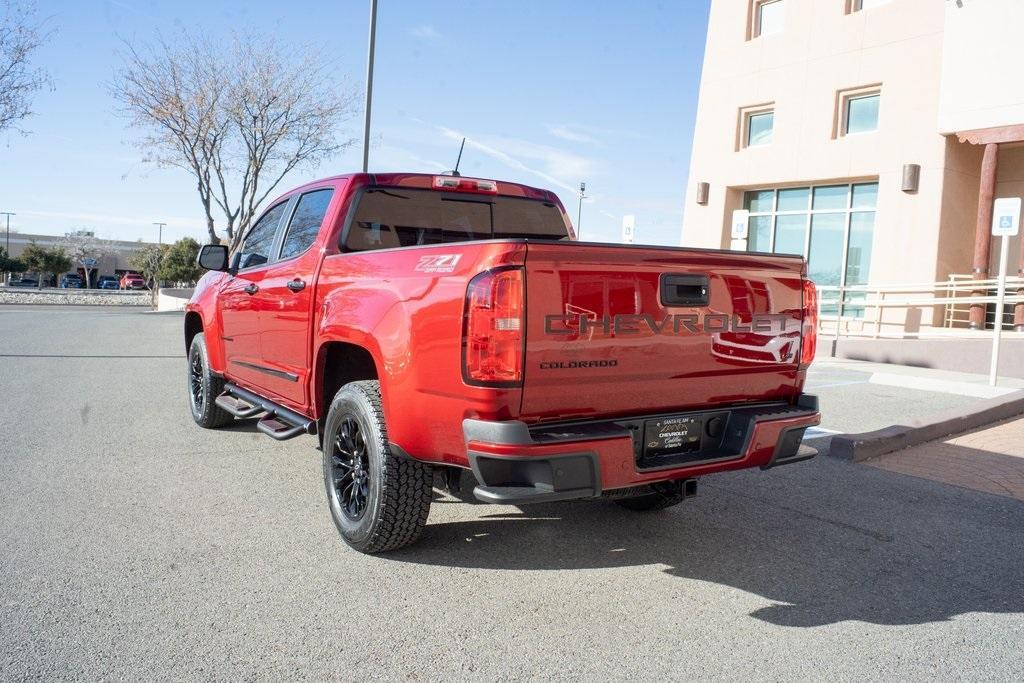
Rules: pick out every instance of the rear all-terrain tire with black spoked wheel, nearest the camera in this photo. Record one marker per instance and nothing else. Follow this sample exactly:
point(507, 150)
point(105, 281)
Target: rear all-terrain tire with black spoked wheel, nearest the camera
point(393, 511)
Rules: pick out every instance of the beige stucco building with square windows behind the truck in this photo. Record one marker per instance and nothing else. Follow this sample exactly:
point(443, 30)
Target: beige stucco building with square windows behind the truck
point(817, 116)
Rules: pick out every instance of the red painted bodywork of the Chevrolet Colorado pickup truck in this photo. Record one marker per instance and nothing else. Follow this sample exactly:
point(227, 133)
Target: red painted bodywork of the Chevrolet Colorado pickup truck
point(411, 323)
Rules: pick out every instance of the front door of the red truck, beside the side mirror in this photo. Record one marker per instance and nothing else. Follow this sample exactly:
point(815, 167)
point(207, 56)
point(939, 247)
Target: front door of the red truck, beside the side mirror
point(240, 305)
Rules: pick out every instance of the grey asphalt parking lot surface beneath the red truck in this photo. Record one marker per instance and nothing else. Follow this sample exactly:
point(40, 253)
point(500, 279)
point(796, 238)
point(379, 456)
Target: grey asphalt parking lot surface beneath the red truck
point(138, 546)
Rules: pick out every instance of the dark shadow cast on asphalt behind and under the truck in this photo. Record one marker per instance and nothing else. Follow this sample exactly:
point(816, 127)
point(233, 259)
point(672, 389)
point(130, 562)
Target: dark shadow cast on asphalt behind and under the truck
point(826, 541)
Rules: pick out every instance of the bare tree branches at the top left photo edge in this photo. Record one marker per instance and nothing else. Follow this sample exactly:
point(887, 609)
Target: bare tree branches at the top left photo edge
point(21, 36)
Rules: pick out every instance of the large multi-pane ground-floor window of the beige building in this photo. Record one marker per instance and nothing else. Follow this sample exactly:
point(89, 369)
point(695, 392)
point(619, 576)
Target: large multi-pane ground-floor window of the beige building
point(832, 226)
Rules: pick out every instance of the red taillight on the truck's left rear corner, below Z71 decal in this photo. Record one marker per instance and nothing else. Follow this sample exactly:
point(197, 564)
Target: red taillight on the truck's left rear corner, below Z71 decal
point(493, 330)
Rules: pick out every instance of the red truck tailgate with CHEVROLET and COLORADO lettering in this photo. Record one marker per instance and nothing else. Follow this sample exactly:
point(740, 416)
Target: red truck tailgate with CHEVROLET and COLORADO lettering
point(615, 331)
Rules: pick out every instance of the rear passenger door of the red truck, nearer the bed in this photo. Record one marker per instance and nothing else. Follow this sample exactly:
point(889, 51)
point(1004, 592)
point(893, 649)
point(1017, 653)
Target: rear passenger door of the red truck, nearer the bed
point(287, 300)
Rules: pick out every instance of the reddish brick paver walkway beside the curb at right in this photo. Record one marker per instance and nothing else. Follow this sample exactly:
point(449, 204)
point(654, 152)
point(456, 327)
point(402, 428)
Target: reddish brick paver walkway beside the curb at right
point(991, 459)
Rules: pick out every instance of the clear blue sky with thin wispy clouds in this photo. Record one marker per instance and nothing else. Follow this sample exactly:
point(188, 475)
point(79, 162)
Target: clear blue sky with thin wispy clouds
point(548, 94)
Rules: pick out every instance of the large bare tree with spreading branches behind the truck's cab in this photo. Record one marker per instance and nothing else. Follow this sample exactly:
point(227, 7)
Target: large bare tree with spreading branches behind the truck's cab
point(238, 119)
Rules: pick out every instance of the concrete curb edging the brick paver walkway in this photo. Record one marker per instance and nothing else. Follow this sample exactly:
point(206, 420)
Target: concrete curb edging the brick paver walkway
point(858, 448)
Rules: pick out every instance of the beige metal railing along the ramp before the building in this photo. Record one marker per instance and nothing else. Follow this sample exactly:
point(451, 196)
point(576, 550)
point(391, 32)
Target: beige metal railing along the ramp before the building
point(930, 310)
